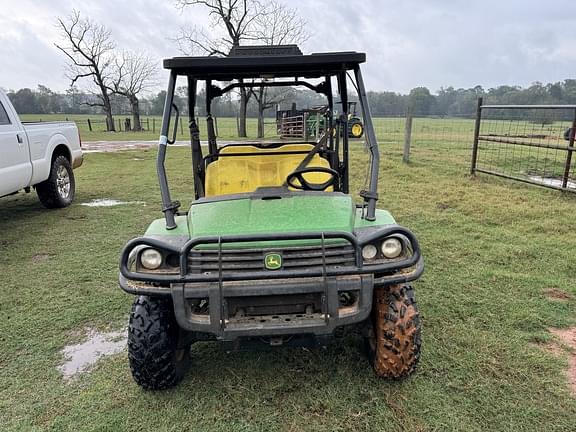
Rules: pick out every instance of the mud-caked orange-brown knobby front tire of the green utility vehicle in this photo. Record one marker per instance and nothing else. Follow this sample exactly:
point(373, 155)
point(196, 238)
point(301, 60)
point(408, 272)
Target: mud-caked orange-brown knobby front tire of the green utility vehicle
point(393, 341)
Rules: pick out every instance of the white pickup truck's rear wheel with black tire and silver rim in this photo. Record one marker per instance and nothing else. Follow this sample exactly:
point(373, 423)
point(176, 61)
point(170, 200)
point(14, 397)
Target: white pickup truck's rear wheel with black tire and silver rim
point(59, 189)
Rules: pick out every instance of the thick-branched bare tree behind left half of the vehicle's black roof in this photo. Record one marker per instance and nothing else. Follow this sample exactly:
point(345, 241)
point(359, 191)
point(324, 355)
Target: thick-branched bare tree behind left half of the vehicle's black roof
point(233, 20)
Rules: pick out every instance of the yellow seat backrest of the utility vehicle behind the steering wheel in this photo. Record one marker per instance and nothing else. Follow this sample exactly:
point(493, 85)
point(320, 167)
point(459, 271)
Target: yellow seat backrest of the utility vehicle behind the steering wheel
point(240, 174)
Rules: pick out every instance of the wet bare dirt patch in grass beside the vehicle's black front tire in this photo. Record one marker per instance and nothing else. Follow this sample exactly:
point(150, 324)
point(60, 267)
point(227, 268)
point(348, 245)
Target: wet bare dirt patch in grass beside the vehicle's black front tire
point(81, 357)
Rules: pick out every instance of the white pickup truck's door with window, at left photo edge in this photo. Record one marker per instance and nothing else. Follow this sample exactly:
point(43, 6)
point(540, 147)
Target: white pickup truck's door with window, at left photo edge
point(15, 166)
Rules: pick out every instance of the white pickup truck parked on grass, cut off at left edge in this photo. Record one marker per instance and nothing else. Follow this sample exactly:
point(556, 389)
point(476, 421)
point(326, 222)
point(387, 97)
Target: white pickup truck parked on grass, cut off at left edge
point(40, 155)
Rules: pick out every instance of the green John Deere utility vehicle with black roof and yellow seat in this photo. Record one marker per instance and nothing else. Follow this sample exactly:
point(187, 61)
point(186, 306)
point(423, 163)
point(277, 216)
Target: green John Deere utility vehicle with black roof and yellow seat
point(273, 249)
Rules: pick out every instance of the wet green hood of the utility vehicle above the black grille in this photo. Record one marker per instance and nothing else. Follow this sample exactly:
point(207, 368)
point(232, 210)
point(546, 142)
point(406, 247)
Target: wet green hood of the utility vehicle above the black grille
point(293, 213)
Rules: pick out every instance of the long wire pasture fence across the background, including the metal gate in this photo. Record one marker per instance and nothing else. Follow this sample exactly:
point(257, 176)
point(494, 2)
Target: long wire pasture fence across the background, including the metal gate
point(529, 143)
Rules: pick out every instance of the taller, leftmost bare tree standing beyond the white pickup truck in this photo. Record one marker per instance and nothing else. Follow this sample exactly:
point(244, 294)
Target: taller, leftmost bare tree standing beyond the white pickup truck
point(89, 49)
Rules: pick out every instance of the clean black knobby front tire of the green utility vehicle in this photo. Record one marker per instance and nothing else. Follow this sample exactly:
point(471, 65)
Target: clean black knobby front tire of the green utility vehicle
point(157, 360)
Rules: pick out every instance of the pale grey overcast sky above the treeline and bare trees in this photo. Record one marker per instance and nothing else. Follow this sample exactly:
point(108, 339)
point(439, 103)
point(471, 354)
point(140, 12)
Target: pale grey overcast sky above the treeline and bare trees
point(408, 43)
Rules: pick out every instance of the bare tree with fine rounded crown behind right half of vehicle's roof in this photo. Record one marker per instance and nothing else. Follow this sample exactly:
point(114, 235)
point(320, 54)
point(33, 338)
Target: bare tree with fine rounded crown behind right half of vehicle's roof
point(275, 25)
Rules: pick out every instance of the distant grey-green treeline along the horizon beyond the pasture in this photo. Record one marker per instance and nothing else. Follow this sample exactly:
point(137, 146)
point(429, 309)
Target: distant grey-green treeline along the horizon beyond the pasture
point(446, 102)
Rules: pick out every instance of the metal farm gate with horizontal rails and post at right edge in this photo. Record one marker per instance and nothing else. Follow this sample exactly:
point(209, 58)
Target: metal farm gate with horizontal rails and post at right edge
point(528, 143)
